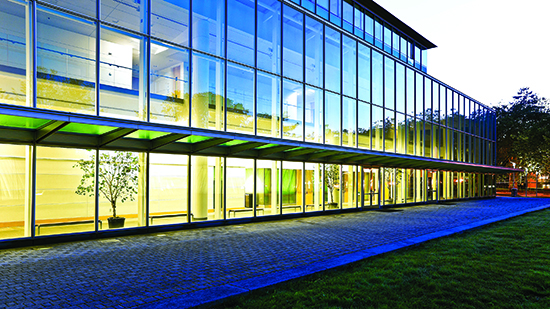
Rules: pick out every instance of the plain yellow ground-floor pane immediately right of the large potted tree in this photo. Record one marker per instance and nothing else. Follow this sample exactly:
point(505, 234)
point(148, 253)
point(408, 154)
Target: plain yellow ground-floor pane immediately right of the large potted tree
point(168, 189)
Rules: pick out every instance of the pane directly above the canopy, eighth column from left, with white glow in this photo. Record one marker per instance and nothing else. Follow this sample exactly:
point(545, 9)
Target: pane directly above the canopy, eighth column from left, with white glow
point(293, 102)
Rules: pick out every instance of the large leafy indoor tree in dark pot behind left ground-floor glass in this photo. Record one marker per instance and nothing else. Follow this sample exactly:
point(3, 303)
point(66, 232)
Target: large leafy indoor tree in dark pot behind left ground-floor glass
point(118, 180)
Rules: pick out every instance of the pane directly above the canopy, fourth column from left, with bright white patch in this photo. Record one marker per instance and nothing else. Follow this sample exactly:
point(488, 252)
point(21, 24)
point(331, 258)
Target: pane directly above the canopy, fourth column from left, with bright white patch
point(169, 85)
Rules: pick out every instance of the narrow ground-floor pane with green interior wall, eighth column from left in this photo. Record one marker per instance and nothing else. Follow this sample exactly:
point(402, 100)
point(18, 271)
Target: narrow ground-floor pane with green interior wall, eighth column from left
point(292, 187)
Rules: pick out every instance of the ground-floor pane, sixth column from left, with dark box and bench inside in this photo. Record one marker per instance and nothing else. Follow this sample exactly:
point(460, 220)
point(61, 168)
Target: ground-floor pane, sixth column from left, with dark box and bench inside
point(240, 189)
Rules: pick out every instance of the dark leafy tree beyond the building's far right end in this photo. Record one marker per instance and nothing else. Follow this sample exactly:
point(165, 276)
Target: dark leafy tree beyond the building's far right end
point(523, 132)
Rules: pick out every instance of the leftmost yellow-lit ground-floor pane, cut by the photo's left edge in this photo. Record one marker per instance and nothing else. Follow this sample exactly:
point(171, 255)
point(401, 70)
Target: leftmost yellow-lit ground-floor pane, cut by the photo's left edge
point(12, 191)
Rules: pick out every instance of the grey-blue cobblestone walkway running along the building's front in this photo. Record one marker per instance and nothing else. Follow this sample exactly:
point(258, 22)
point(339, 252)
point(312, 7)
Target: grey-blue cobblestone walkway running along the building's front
point(185, 268)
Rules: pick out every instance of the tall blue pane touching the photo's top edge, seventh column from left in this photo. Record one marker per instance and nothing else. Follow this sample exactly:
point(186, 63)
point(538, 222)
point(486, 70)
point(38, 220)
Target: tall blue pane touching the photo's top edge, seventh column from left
point(269, 35)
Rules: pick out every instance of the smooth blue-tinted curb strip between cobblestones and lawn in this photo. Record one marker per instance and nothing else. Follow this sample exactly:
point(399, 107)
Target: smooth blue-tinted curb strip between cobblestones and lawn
point(213, 296)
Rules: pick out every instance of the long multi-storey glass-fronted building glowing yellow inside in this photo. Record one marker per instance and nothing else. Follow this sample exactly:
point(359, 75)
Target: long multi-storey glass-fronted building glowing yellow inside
point(229, 109)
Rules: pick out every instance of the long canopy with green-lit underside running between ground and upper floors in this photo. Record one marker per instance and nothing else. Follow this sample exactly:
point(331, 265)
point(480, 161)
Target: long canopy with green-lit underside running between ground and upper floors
point(29, 126)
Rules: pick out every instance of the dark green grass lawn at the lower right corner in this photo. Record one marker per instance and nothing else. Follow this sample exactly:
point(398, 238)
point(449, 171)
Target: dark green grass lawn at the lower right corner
point(505, 265)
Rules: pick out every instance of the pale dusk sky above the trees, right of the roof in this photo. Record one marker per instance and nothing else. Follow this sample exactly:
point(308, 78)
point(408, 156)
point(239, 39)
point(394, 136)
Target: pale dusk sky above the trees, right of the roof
point(487, 49)
